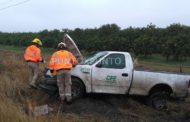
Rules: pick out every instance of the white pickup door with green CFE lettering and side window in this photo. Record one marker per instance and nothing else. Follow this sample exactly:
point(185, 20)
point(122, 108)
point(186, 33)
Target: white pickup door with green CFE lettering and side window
point(110, 75)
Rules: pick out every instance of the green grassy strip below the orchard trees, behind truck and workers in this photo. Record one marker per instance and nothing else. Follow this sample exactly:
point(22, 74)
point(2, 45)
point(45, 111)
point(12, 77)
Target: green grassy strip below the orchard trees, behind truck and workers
point(154, 62)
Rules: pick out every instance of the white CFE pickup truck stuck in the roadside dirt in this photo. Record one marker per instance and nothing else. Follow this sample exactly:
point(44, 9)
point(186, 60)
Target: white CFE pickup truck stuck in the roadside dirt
point(113, 73)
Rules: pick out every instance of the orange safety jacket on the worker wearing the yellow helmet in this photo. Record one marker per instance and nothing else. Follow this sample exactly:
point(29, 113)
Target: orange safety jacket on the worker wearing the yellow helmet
point(32, 53)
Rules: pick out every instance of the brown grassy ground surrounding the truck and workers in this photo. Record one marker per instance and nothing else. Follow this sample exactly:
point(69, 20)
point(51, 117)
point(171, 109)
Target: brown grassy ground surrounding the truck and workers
point(16, 97)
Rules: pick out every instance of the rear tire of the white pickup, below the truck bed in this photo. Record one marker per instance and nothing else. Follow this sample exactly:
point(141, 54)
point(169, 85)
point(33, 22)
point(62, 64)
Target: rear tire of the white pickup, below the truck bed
point(158, 100)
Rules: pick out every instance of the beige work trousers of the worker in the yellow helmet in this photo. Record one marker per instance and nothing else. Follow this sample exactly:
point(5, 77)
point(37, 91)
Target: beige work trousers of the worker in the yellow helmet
point(34, 73)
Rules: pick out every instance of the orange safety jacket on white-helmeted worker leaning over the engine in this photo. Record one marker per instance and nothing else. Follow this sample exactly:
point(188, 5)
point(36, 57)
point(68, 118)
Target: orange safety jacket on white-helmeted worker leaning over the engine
point(62, 60)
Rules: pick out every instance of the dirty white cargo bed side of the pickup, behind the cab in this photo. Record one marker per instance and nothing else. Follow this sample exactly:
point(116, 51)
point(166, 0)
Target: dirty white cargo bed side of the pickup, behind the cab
point(144, 81)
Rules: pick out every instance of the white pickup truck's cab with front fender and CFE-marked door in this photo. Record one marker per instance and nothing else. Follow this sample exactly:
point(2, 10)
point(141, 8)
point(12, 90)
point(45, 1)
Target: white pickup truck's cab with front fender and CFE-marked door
point(106, 72)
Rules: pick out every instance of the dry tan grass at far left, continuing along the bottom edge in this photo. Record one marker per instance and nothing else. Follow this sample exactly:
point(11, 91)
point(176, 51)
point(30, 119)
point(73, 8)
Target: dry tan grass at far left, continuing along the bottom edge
point(15, 93)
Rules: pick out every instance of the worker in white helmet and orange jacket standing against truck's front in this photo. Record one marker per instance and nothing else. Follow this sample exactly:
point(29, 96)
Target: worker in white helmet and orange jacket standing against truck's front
point(62, 62)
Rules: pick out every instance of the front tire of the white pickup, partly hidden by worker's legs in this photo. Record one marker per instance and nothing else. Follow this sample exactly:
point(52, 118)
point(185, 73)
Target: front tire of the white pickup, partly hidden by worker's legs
point(78, 89)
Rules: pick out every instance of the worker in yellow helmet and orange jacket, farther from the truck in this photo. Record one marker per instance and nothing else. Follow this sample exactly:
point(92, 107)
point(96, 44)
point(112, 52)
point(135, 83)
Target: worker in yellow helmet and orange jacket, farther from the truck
point(32, 56)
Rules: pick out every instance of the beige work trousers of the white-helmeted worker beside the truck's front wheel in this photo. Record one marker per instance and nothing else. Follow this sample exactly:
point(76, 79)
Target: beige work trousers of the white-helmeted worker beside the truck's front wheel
point(64, 83)
